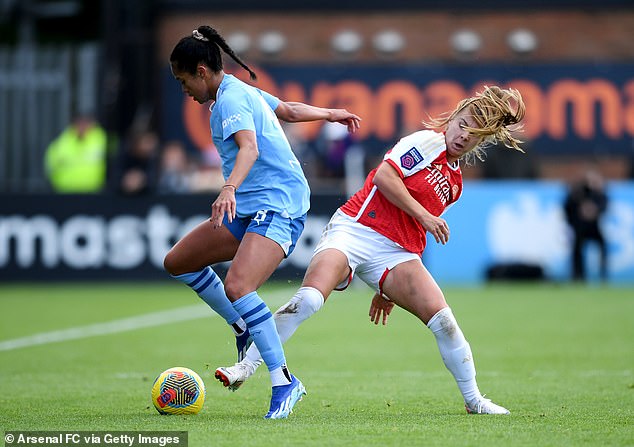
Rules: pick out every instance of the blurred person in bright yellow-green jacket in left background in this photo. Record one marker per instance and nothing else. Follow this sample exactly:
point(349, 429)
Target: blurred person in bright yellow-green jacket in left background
point(76, 160)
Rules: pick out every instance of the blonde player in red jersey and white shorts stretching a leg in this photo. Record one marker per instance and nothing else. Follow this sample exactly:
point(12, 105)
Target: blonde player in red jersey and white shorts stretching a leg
point(379, 234)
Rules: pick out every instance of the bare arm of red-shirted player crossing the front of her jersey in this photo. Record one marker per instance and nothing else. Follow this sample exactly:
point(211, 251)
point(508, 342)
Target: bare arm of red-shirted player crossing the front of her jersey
point(389, 182)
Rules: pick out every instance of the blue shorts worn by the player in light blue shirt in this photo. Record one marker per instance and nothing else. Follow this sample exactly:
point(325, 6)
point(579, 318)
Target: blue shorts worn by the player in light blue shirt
point(283, 230)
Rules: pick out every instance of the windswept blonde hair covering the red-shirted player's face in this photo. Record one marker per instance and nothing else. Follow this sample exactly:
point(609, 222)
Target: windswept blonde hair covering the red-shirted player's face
point(494, 109)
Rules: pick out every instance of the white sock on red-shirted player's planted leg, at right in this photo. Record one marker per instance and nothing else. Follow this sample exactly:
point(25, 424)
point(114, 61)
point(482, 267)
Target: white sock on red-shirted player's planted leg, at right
point(455, 352)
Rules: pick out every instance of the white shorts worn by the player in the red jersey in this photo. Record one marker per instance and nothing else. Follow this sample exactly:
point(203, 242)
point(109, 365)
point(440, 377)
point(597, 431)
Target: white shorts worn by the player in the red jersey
point(370, 254)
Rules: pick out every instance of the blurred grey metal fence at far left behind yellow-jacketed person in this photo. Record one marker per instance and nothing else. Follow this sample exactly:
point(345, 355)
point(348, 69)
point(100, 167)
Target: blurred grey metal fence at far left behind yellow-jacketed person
point(40, 90)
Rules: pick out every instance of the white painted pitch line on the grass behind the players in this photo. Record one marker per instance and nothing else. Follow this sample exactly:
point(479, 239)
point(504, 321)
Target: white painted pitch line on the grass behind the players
point(160, 318)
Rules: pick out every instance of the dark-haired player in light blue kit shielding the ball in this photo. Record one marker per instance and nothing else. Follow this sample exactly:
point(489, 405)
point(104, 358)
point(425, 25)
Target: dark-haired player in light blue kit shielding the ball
point(260, 211)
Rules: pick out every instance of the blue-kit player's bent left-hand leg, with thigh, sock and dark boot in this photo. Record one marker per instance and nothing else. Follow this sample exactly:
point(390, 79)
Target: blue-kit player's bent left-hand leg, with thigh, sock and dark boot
point(189, 262)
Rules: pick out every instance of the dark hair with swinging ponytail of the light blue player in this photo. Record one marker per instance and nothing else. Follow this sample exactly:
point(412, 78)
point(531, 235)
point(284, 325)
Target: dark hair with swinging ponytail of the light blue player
point(204, 46)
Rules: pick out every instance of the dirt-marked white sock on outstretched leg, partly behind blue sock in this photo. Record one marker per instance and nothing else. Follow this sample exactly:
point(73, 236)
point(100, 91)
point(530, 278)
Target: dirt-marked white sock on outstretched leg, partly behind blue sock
point(304, 303)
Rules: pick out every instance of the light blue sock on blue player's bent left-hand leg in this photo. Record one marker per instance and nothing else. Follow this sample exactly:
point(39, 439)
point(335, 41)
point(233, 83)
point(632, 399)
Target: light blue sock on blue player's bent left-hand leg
point(209, 287)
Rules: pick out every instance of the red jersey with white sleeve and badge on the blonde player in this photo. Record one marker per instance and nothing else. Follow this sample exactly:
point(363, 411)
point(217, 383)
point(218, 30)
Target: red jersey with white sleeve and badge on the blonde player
point(421, 161)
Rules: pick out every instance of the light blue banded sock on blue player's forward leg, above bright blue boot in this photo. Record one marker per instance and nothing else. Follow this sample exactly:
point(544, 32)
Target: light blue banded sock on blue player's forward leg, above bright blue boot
point(261, 325)
